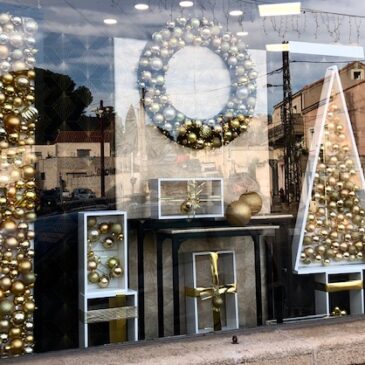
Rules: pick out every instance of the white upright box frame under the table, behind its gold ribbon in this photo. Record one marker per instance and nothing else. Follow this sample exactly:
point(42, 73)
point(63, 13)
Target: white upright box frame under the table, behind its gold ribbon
point(227, 275)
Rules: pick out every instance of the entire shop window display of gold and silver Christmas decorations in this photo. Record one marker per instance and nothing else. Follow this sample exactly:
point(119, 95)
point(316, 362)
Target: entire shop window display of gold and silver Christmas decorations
point(152, 161)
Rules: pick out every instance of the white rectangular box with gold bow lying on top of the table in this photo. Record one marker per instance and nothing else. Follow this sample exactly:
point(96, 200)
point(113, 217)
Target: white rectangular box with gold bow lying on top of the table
point(167, 195)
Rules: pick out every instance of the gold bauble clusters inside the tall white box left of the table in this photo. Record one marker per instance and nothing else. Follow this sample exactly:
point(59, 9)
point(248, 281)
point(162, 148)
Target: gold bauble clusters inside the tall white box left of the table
point(103, 268)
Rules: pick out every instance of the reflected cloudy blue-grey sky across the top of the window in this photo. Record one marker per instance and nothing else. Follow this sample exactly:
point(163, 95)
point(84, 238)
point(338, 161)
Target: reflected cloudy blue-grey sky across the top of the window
point(87, 55)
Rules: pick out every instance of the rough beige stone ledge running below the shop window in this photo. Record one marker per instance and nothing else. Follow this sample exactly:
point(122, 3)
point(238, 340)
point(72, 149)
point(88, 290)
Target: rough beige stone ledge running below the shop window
point(332, 341)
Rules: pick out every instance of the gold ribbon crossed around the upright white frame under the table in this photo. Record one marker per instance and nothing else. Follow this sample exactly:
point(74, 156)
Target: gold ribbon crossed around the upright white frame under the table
point(213, 292)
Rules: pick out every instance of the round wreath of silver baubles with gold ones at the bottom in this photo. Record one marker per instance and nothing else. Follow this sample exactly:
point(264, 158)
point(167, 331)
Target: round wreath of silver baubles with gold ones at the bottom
point(233, 119)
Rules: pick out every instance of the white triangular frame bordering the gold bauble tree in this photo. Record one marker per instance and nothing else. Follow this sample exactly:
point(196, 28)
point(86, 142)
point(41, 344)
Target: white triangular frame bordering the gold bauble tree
point(332, 82)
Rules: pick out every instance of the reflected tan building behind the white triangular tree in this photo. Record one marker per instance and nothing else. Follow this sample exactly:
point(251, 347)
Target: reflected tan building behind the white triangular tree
point(304, 112)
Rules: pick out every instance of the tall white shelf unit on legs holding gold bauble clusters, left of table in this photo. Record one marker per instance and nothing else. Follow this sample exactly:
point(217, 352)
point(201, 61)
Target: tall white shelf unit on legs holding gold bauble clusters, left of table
point(118, 287)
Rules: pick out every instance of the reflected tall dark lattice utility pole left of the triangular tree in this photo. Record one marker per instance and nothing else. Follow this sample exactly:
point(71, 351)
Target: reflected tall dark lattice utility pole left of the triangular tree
point(292, 178)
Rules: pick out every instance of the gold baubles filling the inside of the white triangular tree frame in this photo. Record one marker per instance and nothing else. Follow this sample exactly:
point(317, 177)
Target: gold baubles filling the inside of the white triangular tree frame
point(335, 230)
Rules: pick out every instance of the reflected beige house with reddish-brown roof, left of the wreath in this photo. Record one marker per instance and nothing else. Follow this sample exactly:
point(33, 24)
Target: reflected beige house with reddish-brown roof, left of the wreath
point(75, 158)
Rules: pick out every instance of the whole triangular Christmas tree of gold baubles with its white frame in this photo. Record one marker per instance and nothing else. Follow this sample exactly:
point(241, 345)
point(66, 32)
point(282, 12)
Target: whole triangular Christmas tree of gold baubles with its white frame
point(330, 229)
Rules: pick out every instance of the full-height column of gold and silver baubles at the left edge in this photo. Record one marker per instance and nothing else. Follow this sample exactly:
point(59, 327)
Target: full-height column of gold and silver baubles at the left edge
point(18, 197)
